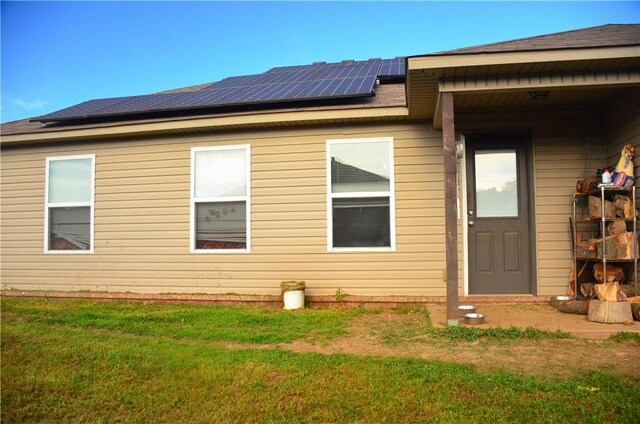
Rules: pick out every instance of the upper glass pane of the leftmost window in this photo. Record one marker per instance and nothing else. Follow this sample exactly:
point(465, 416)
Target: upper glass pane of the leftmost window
point(70, 180)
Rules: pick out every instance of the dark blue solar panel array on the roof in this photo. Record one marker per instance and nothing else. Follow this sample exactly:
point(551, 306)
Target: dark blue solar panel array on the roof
point(290, 83)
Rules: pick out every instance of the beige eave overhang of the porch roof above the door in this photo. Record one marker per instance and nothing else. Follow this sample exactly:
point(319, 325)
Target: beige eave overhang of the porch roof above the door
point(429, 76)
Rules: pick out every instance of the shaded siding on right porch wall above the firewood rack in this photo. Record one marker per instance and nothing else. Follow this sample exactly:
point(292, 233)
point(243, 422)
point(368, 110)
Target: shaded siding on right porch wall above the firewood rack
point(623, 127)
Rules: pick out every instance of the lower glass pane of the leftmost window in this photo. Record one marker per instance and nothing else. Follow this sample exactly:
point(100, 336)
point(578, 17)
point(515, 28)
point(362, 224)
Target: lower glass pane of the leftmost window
point(69, 228)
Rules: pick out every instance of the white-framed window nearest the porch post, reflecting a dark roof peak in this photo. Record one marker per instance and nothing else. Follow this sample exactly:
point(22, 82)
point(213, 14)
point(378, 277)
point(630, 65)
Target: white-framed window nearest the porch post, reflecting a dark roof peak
point(360, 195)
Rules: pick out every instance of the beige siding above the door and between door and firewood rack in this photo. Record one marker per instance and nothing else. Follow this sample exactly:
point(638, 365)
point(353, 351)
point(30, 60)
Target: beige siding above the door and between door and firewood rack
point(560, 140)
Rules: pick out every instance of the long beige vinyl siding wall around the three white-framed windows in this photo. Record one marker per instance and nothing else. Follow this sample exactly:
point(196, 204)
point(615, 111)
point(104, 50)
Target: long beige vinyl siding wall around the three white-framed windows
point(142, 218)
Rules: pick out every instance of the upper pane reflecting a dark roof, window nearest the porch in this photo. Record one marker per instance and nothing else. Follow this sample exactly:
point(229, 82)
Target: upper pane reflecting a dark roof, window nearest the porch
point(360, 167)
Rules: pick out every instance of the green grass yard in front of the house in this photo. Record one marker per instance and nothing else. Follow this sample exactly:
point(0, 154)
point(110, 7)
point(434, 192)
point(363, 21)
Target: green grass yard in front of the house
point(81, 361)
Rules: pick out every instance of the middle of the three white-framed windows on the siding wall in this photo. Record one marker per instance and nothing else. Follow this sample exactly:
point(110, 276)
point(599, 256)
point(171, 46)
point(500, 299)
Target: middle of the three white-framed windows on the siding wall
point(220, 199)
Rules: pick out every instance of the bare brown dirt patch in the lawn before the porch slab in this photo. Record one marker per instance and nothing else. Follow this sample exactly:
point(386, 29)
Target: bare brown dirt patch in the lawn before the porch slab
point(406, 335)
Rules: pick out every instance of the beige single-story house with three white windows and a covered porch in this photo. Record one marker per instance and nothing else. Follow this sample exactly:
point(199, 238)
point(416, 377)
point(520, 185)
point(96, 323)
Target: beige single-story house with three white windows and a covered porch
point(454, 180)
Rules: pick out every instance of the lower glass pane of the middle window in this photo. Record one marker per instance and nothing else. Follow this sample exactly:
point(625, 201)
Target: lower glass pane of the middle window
point(221, 225)
